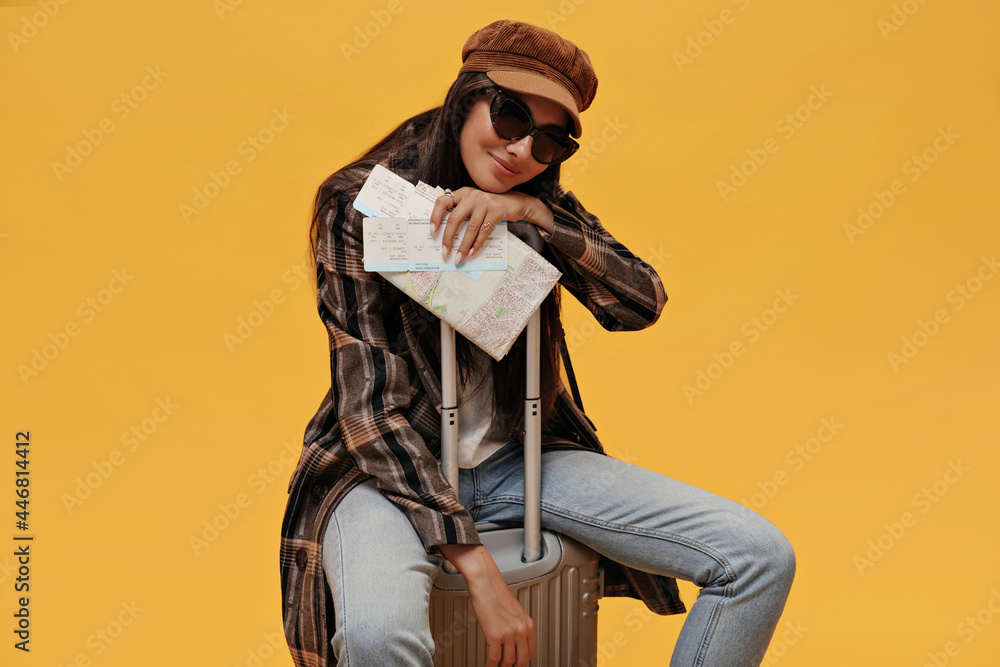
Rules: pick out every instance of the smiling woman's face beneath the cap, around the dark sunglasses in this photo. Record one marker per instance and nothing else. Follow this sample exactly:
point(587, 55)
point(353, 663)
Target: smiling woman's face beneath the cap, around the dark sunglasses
point(495, 164)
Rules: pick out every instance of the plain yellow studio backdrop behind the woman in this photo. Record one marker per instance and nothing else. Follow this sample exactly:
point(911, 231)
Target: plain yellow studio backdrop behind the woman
point(682, 126)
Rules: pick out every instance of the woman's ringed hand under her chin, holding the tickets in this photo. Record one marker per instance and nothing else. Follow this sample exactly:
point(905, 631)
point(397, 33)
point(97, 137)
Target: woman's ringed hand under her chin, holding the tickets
point(483, 211)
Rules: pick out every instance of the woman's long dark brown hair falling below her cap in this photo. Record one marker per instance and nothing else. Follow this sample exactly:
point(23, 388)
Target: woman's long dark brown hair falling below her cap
point(428, 144)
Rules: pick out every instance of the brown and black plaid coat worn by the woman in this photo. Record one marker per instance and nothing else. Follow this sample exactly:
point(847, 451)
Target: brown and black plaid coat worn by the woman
point(381, 416)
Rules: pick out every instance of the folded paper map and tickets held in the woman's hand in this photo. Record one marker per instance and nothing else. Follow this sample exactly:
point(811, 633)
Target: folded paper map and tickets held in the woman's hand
point(489, 307)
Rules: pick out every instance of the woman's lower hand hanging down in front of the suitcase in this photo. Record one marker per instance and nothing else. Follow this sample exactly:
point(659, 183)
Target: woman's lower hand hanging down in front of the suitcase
point(510, 632)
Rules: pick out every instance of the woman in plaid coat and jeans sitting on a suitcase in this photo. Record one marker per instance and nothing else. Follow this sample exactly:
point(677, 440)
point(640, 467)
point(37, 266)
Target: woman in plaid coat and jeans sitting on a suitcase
point(370, 514)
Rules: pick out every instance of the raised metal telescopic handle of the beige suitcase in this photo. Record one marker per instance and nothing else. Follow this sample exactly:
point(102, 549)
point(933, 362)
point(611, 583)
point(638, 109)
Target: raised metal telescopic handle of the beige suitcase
point(532, 414)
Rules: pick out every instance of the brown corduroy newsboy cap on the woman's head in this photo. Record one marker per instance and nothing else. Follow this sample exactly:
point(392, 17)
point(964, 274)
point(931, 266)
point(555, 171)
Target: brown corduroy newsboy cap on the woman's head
point(524, 58)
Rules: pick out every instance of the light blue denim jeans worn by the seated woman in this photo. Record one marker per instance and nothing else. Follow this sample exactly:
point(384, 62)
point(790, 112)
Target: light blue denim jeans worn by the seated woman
point(380, 575)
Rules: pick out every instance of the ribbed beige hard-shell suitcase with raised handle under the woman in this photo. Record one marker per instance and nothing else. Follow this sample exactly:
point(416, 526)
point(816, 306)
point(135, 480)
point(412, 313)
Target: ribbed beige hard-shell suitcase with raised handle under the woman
point(555, 578)
